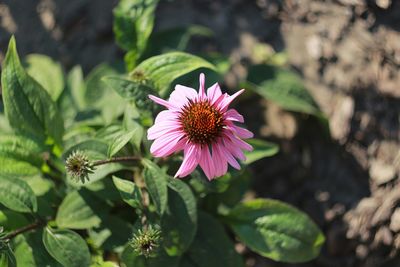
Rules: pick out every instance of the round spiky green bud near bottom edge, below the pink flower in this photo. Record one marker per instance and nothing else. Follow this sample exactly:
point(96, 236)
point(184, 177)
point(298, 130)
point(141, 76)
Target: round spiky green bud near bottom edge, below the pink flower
point(146, 241)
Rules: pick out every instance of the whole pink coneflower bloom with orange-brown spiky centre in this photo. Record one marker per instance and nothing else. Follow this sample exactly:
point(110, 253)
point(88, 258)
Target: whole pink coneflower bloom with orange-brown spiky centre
point(202, 125)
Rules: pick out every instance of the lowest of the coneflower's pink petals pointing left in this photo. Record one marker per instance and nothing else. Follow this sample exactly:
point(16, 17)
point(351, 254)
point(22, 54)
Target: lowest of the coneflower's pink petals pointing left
point(168, 144)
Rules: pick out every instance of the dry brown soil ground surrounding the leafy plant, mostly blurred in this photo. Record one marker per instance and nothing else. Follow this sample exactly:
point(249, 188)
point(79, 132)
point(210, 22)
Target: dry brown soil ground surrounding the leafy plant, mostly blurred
point(347, 51)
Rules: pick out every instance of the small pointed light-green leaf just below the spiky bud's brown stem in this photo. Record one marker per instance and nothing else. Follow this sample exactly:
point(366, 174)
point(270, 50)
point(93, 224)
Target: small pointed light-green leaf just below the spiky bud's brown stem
point(129, 192)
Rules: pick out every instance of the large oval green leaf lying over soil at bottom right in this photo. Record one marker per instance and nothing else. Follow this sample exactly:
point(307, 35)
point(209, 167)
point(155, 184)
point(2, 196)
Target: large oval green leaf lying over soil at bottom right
point(276, 230)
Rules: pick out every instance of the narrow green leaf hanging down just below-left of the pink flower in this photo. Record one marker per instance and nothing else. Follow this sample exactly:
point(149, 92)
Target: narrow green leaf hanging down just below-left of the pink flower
point(156, 184)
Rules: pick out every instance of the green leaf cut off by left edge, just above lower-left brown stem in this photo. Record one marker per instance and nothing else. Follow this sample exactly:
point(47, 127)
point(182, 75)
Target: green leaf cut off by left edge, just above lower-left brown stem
point(16, 195)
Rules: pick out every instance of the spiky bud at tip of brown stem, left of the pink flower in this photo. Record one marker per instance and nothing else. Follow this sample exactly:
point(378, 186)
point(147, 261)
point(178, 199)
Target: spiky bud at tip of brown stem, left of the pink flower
point(79, 166)
